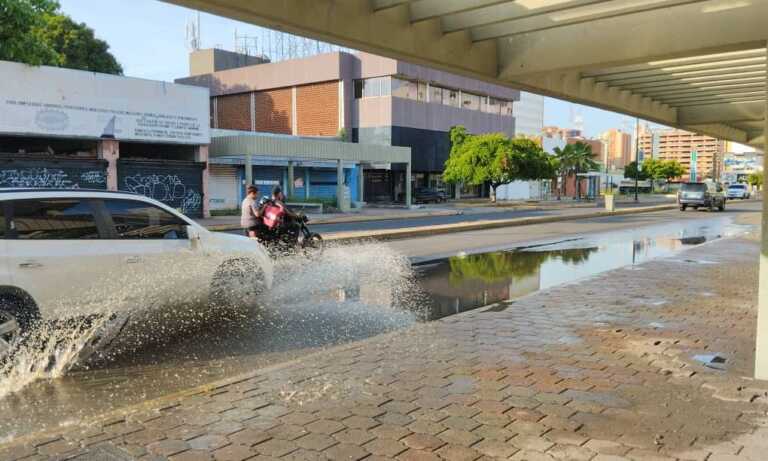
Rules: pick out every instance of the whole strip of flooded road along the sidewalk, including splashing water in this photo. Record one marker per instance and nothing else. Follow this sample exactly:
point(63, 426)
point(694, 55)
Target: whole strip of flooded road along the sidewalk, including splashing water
point(346, 294)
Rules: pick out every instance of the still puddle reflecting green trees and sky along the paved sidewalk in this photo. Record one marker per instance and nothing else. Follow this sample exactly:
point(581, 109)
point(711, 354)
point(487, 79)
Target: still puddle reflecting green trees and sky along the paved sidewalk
point(469, 281)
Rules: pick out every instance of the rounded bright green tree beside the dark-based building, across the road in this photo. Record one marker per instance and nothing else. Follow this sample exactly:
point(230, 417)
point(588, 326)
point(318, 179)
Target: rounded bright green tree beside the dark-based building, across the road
point(493, 158)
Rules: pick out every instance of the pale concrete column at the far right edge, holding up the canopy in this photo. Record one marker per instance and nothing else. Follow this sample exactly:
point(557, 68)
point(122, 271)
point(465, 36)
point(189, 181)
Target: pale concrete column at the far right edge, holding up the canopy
point(761, 352)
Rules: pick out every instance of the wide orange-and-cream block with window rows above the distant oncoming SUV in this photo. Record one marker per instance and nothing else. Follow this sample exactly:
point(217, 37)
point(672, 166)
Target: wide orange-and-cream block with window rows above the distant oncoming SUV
point(674, 144)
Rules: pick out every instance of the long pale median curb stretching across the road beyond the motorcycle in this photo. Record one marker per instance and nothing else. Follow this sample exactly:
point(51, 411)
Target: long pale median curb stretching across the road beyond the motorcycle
point(393, 234)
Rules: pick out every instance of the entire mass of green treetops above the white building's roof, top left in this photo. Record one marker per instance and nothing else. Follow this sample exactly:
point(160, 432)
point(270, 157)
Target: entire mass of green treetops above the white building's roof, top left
point(36, 33)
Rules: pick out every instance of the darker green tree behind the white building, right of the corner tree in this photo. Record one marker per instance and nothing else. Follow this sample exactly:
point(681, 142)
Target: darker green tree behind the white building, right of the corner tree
point(77, 46)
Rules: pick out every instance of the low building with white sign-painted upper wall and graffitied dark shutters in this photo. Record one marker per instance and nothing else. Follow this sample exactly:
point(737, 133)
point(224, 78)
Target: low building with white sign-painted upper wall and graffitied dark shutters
point(63, 128)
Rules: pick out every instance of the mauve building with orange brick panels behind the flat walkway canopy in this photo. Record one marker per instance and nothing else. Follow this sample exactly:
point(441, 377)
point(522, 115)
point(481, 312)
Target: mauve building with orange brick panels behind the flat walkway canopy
point(365, 99)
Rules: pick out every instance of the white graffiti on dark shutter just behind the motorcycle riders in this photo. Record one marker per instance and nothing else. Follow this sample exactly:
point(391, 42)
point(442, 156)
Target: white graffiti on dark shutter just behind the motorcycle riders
point(167, 188)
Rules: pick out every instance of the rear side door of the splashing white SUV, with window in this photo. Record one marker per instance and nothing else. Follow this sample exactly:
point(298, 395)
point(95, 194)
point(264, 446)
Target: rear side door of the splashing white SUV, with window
point(55, 253)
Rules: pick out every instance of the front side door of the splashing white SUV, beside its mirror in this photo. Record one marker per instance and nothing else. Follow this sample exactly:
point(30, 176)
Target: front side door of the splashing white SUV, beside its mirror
point(162, 266)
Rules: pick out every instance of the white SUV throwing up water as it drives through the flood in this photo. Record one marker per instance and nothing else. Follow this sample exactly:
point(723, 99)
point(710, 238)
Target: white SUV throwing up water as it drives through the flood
point(72, 253)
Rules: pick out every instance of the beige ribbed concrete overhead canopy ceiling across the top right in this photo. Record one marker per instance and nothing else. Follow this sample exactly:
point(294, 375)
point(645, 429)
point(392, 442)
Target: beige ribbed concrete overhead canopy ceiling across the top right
point(694, 64)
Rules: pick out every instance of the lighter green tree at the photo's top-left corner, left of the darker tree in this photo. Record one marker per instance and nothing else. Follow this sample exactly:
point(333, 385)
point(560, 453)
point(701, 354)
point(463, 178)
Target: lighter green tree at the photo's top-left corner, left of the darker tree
point(20, 24)
